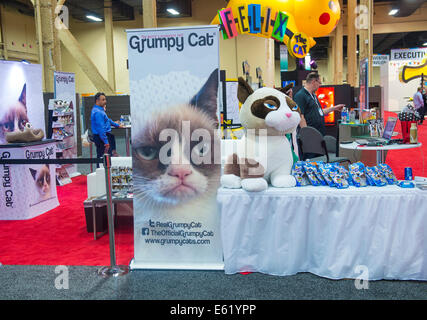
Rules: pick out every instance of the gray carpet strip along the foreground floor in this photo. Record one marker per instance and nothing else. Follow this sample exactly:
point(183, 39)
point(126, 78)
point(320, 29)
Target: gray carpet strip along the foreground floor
point(38, 282)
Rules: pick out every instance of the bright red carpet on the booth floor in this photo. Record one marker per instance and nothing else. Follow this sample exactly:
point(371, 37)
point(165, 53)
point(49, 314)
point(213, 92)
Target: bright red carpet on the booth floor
point(59, 237)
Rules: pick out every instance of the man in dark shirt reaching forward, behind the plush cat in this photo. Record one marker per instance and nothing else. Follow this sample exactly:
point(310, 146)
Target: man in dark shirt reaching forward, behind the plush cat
point(312, 113)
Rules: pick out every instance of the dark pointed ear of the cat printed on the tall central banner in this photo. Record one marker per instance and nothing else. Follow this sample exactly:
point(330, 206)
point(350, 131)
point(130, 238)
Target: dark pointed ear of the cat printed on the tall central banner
point(206, 98)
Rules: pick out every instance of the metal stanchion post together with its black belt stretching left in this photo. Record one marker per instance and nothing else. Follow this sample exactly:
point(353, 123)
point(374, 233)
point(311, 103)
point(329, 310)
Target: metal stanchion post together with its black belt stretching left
point(114, 269)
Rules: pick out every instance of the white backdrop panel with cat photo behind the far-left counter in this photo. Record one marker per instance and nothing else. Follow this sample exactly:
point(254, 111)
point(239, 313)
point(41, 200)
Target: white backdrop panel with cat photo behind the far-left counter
point(21, 97)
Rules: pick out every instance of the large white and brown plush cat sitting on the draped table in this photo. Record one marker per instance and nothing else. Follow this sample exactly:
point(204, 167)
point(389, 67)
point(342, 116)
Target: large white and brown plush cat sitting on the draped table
point(265, 154)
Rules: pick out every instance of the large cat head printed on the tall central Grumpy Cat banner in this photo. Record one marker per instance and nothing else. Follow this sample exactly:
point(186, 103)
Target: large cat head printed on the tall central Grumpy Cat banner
point(181, 181)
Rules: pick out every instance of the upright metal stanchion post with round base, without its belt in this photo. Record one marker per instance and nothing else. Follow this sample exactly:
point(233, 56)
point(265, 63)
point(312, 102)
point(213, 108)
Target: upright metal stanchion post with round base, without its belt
point(113, 269)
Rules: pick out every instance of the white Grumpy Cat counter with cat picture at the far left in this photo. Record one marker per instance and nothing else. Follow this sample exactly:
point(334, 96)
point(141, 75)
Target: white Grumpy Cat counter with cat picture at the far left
point(27, 191)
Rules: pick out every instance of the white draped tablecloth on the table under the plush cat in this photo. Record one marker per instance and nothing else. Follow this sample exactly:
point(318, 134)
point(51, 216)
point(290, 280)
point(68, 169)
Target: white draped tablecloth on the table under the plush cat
point(326, 231)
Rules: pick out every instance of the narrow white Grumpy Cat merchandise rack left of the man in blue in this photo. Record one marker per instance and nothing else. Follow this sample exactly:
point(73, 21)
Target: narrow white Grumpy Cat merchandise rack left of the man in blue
point(64, 122)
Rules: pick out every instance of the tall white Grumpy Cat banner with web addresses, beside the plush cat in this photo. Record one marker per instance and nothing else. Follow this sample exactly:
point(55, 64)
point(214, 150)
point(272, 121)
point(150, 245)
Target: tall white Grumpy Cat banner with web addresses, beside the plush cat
point(174, 82)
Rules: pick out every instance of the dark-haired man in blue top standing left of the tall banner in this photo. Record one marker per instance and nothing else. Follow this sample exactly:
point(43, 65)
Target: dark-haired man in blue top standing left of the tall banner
point(101, 127)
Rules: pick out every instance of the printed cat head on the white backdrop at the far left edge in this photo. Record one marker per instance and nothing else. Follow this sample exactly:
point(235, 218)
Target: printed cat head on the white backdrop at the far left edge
point(15, 116)
